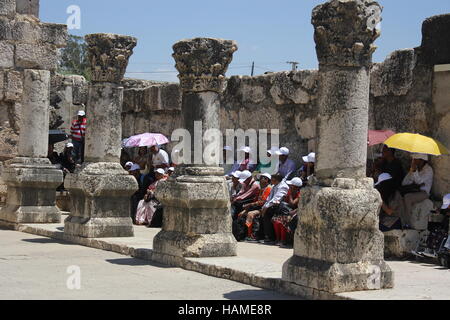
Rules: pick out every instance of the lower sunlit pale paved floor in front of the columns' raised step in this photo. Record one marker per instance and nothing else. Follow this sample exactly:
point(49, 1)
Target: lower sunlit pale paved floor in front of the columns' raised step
point(34, 267)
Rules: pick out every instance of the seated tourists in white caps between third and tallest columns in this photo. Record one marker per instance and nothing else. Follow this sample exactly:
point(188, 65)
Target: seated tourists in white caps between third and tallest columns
point(265, 211)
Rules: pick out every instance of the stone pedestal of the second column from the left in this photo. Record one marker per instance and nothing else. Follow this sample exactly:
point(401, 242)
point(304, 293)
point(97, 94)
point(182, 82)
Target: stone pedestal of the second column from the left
point(100, 201)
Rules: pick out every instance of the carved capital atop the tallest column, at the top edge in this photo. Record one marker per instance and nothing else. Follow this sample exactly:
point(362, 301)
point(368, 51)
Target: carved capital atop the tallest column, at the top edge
point(345, 31)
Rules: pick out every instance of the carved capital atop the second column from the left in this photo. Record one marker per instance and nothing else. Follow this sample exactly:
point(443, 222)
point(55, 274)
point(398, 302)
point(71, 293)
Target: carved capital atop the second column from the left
point(108, 55)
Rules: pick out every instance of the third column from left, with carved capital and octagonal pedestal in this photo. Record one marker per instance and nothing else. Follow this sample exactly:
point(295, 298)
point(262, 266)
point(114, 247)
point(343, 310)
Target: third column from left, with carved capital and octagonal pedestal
point(197, 220)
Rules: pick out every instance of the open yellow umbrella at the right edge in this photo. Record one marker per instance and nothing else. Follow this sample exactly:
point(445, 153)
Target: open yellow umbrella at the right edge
point(416, 143)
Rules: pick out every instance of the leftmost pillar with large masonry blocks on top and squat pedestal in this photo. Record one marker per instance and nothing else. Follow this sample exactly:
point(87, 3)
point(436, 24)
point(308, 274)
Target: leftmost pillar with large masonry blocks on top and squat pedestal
point(28, 56)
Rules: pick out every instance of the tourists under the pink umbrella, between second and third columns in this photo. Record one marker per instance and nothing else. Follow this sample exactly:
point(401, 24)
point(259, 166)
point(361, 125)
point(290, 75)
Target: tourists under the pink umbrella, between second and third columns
point(150, 166)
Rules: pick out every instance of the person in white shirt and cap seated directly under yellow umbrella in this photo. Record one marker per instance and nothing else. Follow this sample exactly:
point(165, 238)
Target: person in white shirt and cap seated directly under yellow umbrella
point(418, 183)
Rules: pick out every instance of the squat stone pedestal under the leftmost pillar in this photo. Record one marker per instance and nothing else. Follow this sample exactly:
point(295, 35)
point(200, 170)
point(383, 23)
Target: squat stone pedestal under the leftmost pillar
point(32, 184)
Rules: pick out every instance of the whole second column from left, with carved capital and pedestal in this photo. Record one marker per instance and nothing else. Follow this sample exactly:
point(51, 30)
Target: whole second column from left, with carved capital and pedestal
point(100, 190)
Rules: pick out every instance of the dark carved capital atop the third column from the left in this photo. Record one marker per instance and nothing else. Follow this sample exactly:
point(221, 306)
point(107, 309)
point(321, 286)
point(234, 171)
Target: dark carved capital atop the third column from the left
point(202, 63)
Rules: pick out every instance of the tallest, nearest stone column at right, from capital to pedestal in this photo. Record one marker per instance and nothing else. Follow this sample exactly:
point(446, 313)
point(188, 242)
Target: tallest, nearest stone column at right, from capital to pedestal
point(338, 246)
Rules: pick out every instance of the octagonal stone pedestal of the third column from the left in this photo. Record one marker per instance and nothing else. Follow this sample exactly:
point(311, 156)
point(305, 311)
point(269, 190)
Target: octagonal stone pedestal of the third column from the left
point(196, 220)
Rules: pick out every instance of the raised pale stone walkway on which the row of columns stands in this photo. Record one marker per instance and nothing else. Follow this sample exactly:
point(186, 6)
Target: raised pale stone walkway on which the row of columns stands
point(261, 266)
